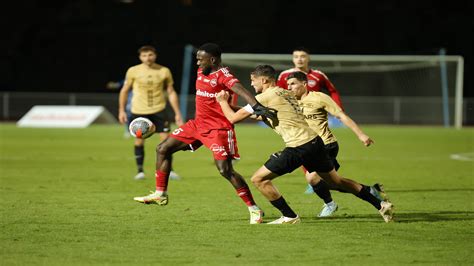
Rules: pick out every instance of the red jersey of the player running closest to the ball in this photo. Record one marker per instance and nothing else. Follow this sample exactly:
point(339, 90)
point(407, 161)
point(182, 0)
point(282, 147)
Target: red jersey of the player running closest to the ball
point(209, 114)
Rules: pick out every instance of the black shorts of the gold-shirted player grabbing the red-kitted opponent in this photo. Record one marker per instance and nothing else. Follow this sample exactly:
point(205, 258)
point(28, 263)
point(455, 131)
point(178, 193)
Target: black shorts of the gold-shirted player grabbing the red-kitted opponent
point(312, 155)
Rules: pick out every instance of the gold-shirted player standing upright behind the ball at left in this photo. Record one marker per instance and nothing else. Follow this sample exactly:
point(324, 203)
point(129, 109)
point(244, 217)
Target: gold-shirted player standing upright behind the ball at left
point(149, 81)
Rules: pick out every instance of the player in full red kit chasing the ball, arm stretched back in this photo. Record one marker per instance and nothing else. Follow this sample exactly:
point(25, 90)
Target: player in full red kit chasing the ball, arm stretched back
point(210, 128)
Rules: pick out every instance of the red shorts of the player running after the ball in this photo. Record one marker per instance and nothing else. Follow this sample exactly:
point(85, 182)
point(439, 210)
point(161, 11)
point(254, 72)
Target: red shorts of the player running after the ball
point(222, 142)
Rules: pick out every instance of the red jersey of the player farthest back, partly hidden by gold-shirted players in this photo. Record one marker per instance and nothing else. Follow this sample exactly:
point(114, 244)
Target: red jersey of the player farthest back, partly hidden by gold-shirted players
point(317, 80)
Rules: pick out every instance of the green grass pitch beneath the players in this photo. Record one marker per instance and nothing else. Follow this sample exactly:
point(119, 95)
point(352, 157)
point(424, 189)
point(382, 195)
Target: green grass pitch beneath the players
point(66, 199)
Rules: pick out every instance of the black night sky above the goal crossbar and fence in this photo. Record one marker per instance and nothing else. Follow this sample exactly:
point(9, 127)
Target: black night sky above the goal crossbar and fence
point(81, 45)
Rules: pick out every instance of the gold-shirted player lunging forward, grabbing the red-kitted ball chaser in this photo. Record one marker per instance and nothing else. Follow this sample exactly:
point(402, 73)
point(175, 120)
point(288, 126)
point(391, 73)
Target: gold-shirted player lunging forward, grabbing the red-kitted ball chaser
point(303, 147)
